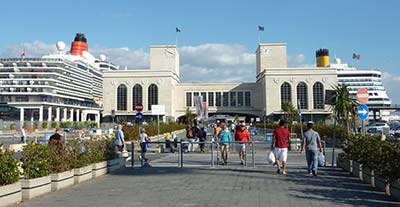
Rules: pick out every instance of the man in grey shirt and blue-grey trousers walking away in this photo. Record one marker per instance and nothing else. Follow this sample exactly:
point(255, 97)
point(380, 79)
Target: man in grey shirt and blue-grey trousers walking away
point(311, 142)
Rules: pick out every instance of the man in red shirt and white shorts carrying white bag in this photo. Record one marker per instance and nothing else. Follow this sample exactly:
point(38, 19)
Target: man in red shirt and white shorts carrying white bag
point(279, 146)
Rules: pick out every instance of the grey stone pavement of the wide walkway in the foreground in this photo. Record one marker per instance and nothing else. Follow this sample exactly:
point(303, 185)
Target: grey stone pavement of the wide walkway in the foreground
point(232, 185)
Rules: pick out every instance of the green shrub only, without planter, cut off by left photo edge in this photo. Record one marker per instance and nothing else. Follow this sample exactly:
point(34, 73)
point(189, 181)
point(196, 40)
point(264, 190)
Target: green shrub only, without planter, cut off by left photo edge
point(9, 172)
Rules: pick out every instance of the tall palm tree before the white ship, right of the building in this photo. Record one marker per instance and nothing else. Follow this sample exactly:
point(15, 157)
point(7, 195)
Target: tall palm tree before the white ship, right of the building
point(344, 109)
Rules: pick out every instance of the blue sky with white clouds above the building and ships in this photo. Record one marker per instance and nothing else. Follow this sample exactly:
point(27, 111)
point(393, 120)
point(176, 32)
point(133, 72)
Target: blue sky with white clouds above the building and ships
point(218, 39)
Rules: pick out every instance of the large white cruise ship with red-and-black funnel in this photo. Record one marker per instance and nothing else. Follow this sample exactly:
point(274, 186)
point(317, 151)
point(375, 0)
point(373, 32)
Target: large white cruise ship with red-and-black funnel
point(67, 86)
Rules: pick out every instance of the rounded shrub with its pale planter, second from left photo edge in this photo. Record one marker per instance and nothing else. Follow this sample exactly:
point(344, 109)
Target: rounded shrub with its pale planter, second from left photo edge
point(36, 167)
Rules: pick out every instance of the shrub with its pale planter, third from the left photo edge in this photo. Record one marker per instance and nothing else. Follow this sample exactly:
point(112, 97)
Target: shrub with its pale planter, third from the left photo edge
point(62, 174)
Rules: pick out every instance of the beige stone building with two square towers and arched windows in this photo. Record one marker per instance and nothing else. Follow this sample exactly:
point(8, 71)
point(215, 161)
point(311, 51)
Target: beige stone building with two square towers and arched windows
point(161, 85)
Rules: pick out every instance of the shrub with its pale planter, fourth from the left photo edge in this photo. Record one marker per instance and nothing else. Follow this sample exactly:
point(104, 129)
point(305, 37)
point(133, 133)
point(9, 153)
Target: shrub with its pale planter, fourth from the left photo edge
point(80, 160)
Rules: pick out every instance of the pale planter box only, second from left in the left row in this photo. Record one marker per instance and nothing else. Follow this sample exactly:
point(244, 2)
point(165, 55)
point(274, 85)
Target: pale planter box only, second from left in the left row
point(35, 187)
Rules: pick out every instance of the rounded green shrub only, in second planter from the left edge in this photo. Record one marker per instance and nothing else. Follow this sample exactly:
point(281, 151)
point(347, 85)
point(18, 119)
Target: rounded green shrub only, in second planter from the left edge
point(36, 161)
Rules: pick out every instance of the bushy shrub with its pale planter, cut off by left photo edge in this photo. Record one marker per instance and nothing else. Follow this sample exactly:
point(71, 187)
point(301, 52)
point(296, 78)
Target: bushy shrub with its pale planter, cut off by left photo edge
point(10, 187)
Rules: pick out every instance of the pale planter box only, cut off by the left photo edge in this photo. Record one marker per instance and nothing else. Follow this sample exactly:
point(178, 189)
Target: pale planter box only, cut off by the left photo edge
point(10, 194)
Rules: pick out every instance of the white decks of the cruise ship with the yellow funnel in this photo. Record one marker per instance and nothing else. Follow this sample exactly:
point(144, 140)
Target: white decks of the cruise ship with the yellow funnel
point(369, 79)
